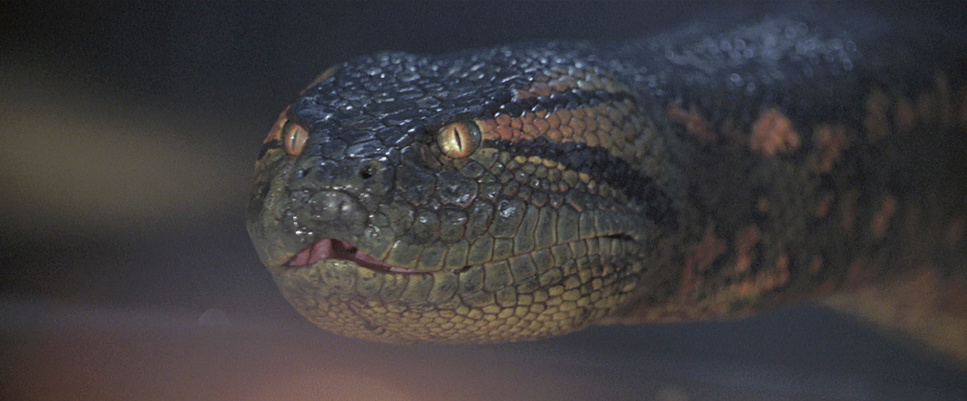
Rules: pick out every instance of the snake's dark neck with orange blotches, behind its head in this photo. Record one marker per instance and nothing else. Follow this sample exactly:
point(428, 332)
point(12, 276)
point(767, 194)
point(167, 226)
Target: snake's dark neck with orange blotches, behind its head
point(824, 181)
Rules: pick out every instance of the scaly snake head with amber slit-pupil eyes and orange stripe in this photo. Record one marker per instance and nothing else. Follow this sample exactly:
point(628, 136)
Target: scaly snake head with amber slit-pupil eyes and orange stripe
point(495, 195)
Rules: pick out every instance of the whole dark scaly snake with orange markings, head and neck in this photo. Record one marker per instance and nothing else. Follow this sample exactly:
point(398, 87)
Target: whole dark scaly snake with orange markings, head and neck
point(525, 191)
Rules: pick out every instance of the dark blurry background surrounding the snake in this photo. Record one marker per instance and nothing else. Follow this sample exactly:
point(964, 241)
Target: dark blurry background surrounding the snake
point(128, 133)
